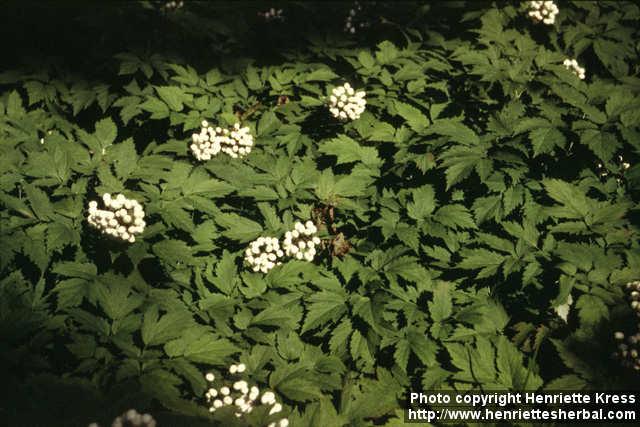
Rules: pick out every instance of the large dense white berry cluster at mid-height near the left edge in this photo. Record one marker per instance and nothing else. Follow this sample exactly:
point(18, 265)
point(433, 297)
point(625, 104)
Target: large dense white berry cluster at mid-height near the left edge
point(122, 218)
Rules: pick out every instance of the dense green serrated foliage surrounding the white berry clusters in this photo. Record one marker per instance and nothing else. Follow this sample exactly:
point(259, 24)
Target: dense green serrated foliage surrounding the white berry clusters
point(457, 214)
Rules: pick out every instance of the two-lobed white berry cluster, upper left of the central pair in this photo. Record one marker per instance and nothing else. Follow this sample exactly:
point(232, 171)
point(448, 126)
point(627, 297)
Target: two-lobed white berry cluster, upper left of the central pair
point(235, 141)
